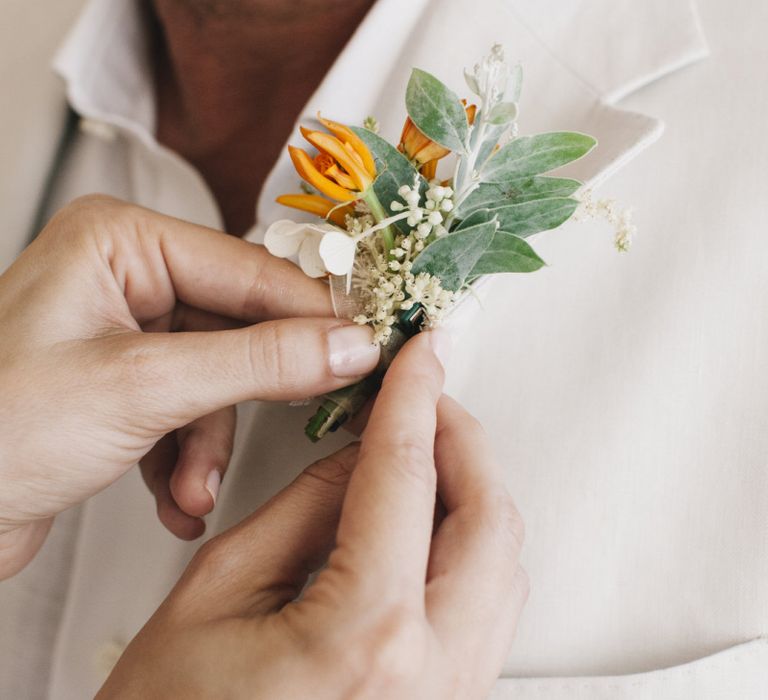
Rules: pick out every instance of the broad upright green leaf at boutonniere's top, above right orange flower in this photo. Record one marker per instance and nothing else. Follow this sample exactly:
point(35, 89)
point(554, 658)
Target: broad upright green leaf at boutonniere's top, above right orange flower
point(436, 110)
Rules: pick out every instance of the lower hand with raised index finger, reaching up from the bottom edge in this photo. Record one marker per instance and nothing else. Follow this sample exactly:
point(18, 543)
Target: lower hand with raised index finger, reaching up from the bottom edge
point(410, 605)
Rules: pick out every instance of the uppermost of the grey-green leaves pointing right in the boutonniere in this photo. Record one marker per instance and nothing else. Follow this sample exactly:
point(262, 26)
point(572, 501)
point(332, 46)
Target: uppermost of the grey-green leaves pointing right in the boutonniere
point(533, 155)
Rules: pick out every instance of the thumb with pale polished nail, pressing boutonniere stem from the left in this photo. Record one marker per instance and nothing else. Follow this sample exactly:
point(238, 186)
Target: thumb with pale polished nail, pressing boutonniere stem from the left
point(175, 378)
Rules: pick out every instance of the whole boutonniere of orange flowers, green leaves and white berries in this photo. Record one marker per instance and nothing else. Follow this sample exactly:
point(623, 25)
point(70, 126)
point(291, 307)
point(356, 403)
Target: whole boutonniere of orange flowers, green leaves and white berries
point(401, 244)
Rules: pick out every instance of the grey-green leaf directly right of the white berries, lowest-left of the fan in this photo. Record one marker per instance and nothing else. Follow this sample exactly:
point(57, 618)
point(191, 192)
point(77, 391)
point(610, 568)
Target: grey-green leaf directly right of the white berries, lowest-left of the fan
point(452, 258)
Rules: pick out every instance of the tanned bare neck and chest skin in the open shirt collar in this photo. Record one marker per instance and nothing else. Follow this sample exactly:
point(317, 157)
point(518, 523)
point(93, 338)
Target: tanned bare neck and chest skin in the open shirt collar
point(232, 77)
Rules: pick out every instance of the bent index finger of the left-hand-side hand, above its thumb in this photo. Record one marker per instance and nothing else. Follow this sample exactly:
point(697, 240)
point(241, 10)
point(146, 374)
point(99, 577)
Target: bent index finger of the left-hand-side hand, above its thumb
point(159, 260)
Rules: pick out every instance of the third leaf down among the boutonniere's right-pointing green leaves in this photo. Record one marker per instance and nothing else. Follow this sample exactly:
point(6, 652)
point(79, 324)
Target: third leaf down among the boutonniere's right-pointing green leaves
point(526, 218)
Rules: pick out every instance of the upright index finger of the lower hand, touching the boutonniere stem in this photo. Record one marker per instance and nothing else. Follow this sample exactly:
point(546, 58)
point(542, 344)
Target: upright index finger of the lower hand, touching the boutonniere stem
point(386, 522)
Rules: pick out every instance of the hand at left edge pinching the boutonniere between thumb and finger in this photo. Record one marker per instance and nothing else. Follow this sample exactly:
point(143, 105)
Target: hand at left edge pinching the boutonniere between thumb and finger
point(92, 378)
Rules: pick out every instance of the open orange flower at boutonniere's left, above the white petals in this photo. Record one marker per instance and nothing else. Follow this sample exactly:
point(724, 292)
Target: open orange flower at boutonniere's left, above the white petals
point(344, 167)
